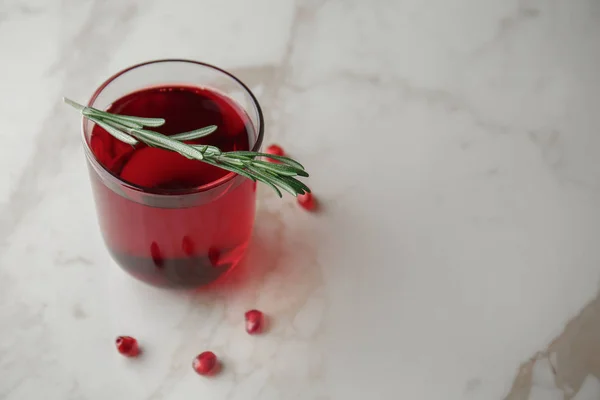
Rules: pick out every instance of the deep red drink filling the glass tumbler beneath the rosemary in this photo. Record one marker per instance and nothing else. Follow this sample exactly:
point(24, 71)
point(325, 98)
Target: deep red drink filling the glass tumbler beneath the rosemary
point(175, 240)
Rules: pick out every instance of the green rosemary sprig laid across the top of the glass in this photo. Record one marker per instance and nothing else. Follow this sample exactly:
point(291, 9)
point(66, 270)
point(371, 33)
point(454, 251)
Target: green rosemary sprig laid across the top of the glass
point(132, 130)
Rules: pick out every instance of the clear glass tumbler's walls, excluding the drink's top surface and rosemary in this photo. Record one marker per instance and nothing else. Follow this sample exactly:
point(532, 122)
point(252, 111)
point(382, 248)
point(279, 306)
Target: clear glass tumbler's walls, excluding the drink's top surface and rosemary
point(175, 238)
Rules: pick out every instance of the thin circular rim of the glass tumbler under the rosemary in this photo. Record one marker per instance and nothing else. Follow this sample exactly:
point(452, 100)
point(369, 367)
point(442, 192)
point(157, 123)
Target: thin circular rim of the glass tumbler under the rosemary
point(170, 192)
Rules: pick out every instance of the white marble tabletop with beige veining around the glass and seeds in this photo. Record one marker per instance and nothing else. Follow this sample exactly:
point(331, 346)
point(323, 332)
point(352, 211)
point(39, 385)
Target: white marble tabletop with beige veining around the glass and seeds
point(454, 147)
